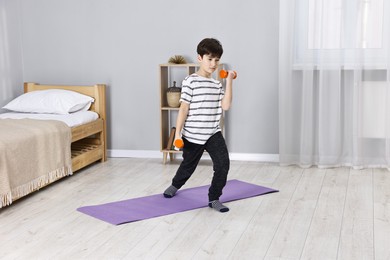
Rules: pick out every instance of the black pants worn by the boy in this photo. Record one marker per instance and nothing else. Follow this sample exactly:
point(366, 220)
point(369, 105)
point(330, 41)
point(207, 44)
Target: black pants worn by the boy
point(216, 147)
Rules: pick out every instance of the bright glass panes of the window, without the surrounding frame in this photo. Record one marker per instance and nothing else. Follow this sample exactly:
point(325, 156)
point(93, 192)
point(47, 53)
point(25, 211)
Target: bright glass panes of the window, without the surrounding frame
point(345, 24)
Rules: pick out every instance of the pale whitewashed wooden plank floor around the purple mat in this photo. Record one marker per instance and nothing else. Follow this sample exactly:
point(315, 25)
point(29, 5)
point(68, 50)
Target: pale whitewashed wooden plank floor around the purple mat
point(318, 214)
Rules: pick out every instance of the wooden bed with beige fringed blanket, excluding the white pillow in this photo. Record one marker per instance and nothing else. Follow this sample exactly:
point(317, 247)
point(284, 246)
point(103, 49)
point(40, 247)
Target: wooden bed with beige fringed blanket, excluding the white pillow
point(35, 153)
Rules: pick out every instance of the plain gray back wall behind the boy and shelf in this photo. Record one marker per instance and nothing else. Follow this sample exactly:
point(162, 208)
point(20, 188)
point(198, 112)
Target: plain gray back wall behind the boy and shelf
point(121, 43)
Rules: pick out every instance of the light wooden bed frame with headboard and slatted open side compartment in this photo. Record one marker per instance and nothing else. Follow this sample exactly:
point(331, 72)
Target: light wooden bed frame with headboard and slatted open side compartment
point(89, 140)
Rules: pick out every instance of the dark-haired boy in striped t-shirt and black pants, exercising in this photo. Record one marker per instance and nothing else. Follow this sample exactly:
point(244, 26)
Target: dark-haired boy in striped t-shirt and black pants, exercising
point(202, 101)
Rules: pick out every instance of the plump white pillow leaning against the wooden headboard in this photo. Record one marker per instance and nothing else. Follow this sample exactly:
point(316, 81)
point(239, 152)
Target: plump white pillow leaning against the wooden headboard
point(51, 101)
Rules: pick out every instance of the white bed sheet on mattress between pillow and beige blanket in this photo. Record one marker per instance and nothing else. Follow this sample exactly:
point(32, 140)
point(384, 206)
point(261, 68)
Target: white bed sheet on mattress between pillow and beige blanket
point(72, 120)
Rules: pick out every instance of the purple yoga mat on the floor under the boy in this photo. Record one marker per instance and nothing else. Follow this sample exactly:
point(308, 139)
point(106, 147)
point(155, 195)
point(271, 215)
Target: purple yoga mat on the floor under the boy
point(130, 210)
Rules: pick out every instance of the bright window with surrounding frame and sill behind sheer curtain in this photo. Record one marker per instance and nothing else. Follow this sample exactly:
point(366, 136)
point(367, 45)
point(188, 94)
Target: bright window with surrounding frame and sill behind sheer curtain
point(334, 33)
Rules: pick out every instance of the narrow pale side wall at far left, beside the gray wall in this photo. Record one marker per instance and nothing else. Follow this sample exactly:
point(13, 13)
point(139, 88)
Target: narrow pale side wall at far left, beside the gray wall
point(11, 73)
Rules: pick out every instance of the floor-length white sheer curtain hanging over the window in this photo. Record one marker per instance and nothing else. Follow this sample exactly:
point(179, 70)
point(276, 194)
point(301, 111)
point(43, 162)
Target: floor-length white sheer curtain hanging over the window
point(334, 83)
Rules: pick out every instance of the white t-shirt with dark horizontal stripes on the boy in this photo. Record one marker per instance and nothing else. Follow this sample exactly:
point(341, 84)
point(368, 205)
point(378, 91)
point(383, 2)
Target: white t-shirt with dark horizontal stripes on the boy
point(204, 97)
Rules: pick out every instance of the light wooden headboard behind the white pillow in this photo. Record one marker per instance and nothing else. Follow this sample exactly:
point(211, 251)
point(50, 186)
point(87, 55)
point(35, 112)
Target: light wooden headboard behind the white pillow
point(98, 92)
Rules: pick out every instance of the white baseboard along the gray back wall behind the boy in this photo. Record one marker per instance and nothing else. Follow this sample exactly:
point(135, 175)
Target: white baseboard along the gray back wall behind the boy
point(158, 154)
